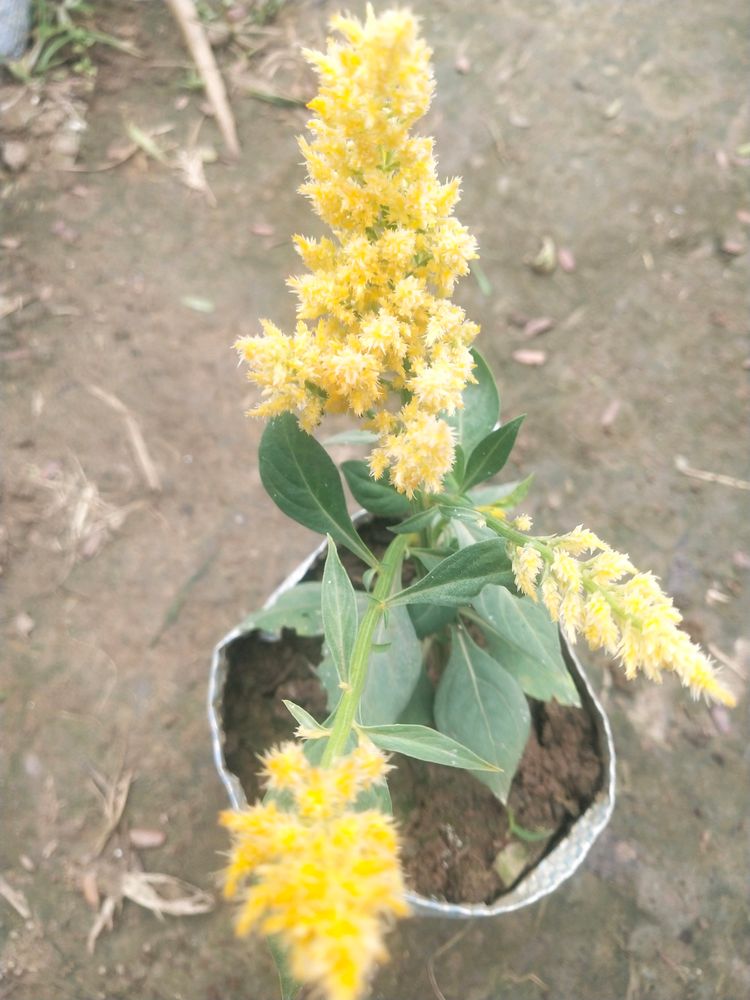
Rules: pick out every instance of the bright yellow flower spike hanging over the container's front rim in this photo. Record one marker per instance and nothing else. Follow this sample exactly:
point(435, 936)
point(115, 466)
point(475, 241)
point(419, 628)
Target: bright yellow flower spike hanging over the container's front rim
point(323, 877)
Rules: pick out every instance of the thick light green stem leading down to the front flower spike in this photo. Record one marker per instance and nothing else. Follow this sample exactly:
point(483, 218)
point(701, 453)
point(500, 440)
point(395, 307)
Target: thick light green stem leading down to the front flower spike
point(347, 706)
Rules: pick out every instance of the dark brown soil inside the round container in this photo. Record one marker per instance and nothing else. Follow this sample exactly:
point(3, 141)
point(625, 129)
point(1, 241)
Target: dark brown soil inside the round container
point(453, 826)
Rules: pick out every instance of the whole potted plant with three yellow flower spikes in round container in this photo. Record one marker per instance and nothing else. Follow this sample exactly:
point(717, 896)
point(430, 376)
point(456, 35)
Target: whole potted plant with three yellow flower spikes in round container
point(453, 648)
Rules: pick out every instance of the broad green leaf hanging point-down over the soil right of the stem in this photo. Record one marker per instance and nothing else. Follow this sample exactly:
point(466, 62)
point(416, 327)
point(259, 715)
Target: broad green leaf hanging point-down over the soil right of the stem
point(481, 706)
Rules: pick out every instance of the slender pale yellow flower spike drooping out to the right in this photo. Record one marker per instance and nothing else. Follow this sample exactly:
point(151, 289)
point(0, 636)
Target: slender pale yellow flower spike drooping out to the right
point(614, 607)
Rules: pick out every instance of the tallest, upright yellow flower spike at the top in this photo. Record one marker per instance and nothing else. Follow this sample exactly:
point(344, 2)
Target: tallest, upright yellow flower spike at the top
point(377, 334)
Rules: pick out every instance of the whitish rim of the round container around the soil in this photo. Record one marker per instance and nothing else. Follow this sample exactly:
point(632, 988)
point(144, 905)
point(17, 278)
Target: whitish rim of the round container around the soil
point(557, 866)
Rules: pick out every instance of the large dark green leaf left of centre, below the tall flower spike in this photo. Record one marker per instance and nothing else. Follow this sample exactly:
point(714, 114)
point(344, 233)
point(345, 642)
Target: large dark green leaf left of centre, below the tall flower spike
point(302, 480)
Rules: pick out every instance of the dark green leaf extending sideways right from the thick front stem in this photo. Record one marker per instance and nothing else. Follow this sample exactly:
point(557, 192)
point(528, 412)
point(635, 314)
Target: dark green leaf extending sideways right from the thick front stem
point(460, 576)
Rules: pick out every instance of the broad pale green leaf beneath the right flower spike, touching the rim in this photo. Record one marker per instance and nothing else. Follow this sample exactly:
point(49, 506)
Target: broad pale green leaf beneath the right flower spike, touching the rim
point(523, 640)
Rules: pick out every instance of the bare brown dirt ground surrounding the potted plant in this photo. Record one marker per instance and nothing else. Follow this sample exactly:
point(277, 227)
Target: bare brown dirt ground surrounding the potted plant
point(136, 532)
